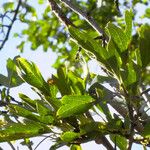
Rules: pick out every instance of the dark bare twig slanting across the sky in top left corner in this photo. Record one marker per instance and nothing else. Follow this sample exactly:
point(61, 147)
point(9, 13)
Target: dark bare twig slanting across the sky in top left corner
point(11, 24)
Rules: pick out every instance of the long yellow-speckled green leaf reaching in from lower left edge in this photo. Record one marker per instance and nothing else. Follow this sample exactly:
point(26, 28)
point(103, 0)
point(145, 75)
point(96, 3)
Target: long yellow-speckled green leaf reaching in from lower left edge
point(17, 131)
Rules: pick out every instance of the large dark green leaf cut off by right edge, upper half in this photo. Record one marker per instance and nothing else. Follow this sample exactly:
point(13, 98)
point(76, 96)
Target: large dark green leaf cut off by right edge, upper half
point(144, 44)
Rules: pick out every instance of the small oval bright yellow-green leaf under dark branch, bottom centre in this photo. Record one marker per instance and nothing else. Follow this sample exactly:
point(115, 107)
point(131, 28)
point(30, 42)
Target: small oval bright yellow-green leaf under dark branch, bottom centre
point(69, 136)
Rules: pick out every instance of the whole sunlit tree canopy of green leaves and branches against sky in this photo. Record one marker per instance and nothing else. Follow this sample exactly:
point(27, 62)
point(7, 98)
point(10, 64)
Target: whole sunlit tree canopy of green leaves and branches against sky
point(75, 106)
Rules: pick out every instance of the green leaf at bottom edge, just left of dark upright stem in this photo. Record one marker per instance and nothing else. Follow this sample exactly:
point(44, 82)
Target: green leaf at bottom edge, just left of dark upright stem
point(121, 141)
